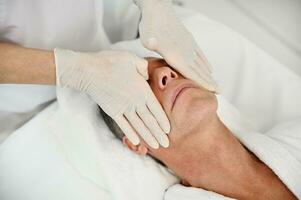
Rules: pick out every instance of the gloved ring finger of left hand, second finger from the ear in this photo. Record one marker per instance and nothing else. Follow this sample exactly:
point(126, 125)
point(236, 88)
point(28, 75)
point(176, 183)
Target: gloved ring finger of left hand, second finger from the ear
point(141, 129)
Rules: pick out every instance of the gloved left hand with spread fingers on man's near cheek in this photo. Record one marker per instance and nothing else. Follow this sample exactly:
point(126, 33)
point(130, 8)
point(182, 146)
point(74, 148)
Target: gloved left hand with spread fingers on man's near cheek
point(116, 81)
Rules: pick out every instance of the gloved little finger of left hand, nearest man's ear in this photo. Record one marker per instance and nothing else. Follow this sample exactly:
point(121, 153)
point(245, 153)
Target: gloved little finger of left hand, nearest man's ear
point(128, 130)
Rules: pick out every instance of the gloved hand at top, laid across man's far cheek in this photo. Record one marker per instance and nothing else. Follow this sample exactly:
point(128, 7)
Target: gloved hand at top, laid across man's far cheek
point(161, 31)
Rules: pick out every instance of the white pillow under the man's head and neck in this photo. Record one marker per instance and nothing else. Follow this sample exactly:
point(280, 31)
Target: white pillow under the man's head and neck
point(88, 142)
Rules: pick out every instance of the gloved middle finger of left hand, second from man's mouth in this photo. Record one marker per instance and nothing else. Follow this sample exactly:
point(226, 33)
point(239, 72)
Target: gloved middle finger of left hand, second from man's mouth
point(153, 126)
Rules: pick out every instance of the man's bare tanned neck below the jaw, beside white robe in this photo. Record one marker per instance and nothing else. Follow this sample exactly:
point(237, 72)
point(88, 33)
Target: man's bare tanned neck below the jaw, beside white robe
point(213, 159)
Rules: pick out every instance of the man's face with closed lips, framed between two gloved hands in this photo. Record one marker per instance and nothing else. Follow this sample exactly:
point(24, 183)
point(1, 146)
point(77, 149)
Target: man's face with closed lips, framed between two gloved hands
point(187, 105)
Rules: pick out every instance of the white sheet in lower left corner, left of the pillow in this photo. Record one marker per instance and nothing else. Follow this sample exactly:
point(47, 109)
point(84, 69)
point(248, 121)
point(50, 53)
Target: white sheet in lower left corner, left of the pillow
point(34, 166)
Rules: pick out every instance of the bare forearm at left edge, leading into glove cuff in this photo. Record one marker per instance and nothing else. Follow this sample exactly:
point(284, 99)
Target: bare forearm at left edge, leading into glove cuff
point(19, 65)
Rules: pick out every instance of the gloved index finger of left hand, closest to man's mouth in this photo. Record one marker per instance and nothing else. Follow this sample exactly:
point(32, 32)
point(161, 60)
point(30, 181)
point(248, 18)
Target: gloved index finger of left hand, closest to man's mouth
point(156, 109)
